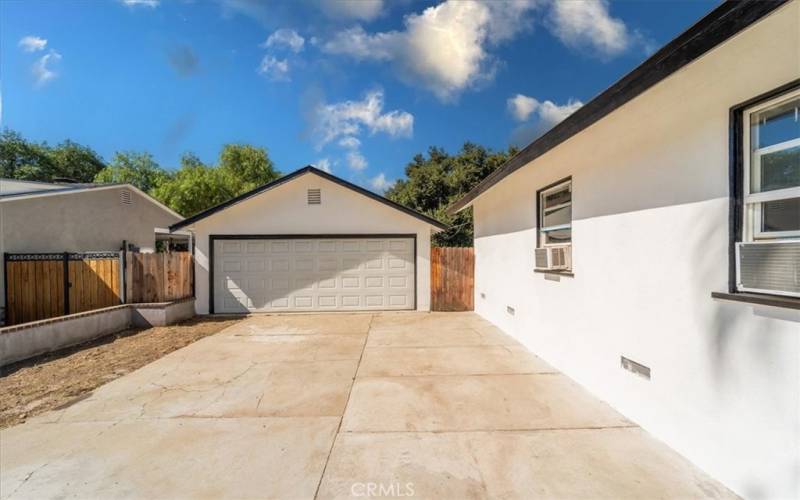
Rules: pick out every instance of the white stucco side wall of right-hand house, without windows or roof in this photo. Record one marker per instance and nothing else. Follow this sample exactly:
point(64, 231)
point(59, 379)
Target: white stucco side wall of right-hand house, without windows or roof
point(650, 235)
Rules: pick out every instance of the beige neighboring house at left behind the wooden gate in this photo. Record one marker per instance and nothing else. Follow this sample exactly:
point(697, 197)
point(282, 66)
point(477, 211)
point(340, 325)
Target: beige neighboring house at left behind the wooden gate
point(77, 218)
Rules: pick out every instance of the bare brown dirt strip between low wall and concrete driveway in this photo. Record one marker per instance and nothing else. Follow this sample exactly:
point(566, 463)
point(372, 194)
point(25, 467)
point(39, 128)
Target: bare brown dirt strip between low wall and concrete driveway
point(54, 380)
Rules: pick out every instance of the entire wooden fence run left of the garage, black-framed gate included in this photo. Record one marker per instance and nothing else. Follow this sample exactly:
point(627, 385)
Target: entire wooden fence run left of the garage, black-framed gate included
point(41, 286)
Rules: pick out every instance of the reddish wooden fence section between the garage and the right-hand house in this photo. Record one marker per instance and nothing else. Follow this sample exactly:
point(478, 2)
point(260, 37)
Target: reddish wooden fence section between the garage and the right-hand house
point(452, 279)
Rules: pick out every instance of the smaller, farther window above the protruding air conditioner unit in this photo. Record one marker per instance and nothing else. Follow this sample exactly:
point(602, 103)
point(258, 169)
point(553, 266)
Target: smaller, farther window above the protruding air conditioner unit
point(555, 214)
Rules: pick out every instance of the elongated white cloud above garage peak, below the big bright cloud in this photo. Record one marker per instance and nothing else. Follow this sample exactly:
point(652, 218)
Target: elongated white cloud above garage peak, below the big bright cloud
point(350, 118)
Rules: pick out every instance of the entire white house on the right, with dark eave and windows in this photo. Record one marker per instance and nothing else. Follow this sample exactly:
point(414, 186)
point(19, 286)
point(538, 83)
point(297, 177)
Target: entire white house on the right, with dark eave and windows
point(642, 198)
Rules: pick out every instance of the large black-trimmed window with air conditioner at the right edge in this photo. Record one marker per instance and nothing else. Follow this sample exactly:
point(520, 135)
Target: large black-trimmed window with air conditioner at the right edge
point(765, 201)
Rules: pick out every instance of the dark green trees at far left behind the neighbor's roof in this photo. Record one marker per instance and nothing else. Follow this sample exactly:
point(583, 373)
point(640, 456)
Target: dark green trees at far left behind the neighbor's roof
point(26, 160)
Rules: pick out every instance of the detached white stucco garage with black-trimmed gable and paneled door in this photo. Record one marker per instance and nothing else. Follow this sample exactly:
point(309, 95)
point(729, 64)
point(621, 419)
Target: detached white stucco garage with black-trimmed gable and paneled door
point(310, 242)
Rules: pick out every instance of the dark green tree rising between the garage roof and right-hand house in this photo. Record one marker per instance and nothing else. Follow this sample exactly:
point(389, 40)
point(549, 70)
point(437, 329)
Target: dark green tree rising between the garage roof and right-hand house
point(434, 182)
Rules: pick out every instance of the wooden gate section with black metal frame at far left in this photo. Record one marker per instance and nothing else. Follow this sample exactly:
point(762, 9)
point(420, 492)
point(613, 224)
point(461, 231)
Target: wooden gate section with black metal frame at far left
point(41, 286)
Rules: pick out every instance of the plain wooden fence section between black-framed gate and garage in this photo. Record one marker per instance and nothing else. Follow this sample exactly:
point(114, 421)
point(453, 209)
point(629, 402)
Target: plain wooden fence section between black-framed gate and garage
point(159, 277)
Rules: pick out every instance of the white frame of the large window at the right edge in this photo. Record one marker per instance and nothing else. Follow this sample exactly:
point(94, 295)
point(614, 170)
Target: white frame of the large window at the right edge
point(752, 202)
